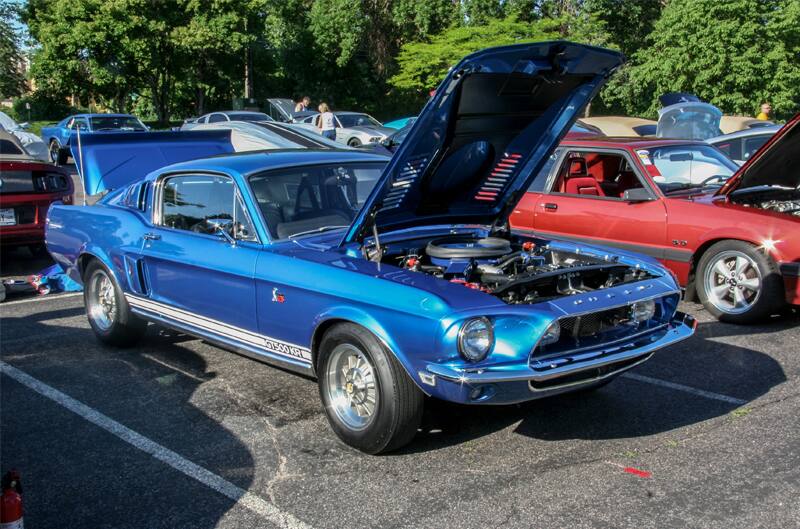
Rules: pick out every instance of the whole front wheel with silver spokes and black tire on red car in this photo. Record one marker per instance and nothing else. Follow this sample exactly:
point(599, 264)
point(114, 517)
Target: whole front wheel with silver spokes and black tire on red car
point(770, 297)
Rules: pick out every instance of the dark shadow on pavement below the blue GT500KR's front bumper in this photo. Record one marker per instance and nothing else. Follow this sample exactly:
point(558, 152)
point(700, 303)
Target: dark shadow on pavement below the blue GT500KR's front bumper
point(628, 407)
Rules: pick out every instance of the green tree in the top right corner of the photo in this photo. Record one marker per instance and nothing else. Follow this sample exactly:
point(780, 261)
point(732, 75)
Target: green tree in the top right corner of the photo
point(747, 55)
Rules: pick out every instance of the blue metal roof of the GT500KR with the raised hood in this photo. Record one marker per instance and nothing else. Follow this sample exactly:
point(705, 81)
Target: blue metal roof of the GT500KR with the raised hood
point(246, 163)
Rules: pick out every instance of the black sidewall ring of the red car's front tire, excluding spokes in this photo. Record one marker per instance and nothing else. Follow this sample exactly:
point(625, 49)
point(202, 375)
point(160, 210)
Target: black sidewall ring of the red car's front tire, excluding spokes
point(771, 297)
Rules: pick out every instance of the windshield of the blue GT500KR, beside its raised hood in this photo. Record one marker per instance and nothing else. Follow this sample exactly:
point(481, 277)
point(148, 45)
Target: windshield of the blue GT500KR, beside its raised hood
point(299, 200)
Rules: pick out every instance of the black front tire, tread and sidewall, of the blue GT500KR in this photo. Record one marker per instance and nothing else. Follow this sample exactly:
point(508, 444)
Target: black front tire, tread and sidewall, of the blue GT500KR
point(397, 412)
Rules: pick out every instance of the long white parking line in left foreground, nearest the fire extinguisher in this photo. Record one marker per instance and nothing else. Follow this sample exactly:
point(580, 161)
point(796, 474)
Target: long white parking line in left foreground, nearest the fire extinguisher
point(249, 500)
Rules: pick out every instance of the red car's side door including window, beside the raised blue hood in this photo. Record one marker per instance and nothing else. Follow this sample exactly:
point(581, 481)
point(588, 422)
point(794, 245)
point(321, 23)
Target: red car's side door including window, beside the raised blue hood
point(599, 196)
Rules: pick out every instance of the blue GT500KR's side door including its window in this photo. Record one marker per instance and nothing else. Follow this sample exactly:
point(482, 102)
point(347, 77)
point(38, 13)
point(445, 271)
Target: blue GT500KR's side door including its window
point(200, 254)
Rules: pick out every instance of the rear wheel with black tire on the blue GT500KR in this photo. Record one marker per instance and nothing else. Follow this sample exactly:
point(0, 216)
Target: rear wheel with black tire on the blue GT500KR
point(122, 328)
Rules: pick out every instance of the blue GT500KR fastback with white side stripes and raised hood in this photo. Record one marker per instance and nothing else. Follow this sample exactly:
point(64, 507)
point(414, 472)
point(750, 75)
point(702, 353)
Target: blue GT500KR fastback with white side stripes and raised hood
point(388, 280)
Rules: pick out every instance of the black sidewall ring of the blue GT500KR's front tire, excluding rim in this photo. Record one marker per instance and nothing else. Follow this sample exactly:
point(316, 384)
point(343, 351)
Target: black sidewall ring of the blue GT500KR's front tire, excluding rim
point(376, 435)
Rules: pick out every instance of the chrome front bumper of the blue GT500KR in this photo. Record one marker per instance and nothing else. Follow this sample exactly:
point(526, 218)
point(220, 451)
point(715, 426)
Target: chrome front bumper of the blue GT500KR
point(624, 355)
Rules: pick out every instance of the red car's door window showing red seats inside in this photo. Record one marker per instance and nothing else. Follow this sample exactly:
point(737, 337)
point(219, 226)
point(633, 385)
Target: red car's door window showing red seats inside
point(598, 174)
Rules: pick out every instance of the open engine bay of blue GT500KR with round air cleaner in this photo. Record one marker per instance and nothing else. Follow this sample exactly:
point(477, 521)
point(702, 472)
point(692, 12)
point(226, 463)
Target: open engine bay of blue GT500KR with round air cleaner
point(514, 270)
